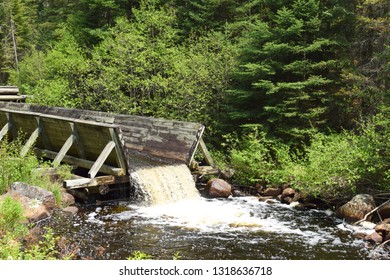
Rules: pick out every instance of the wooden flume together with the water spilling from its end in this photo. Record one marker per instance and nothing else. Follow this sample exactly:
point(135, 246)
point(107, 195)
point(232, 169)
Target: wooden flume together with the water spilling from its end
point(151, 154)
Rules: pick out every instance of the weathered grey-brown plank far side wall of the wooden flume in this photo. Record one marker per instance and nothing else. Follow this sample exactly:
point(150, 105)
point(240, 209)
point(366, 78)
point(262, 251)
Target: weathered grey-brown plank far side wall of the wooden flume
point(169, 139)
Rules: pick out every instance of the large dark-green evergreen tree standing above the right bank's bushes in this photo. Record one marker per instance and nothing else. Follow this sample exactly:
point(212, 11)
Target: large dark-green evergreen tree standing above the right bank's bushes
point(289, 69)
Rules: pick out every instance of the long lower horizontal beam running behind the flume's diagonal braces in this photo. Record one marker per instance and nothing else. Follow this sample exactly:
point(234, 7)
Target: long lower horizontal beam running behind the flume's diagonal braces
point(87, 164)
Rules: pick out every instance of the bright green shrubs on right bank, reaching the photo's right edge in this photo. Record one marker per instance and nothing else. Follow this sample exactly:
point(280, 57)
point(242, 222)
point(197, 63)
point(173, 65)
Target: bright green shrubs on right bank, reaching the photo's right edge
point(338, 165)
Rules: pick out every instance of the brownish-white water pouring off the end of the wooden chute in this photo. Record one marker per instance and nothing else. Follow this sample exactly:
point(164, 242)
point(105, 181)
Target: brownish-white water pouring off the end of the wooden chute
point(156, 182)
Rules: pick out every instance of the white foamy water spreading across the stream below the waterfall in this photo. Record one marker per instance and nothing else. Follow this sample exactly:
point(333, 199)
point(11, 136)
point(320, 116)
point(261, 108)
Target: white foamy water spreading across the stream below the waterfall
point(232, 216)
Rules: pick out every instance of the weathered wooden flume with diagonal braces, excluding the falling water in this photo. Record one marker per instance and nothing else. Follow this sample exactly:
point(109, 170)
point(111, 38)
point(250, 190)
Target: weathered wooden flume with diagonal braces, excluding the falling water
point(100, 143)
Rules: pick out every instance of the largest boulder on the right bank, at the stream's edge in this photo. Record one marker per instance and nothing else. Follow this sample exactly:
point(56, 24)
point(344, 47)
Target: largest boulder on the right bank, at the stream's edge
point(355, 209)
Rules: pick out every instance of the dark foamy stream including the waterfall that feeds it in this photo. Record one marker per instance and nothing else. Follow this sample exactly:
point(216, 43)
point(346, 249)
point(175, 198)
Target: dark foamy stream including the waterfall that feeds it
point(176, 219)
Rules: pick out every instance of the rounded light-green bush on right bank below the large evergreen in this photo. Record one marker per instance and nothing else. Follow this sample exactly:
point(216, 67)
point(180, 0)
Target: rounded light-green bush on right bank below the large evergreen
point(332, 166)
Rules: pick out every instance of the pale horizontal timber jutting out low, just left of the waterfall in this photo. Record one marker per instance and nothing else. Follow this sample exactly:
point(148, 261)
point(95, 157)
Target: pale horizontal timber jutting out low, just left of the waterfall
point(93, 182)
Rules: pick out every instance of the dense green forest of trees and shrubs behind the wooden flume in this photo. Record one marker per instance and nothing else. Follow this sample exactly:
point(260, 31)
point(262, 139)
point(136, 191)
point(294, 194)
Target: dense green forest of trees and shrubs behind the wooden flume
point(290, 91)
